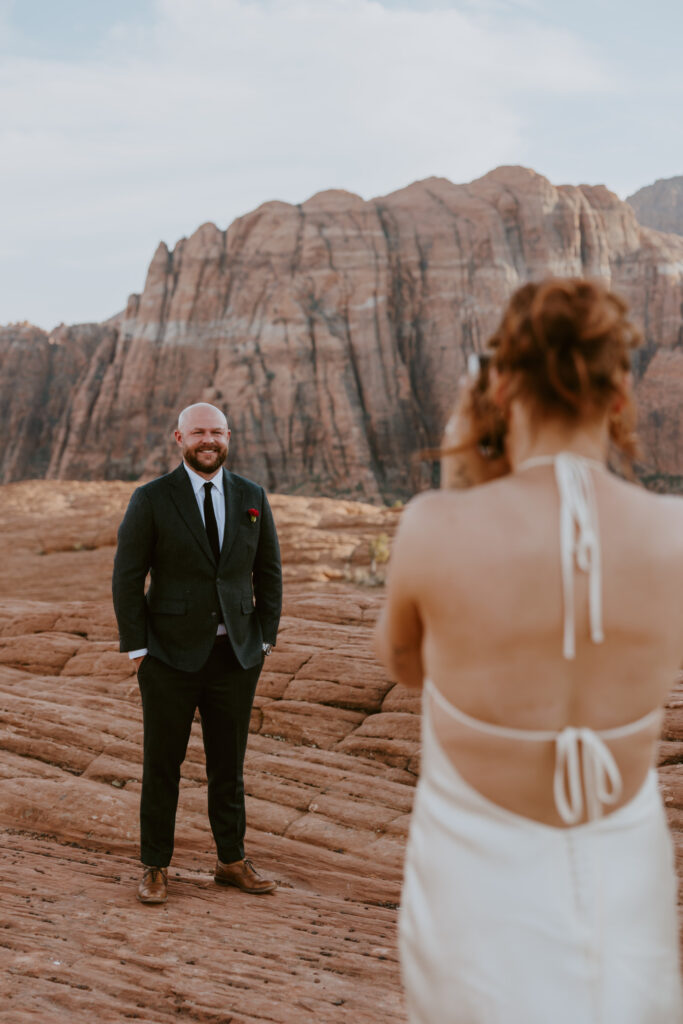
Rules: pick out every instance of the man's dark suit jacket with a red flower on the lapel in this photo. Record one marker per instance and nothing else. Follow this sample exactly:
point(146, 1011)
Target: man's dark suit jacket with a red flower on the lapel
point(163, 534)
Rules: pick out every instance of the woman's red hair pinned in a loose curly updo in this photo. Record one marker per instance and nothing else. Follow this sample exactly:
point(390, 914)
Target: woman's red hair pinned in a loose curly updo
point(565, 346)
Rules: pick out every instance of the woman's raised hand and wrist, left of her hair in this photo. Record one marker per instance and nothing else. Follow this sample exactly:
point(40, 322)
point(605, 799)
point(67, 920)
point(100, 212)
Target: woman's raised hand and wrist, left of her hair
point(465, 461)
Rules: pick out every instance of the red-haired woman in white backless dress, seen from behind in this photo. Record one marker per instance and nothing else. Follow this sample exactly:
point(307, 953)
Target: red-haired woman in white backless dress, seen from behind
point(542, 614)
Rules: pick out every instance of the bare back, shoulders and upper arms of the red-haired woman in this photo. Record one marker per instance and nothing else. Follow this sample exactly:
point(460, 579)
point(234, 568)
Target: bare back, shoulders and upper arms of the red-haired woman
point(487, 579)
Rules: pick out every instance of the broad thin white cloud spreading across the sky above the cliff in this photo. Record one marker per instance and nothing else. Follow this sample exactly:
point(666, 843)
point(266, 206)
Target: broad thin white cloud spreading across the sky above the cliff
point(222, 105)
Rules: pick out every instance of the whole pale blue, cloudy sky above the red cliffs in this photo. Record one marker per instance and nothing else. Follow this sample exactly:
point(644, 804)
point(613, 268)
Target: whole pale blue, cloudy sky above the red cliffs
point(131, 122)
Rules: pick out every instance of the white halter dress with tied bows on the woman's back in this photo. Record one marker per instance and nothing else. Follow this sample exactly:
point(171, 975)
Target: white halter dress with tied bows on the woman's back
point(507, 921)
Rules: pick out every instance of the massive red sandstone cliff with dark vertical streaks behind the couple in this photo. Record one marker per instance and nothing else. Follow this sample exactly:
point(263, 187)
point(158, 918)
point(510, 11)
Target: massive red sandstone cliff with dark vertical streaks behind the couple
point(334, 332)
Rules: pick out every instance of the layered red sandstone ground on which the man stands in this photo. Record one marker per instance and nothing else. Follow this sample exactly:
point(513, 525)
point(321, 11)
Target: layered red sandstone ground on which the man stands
point(330, 779)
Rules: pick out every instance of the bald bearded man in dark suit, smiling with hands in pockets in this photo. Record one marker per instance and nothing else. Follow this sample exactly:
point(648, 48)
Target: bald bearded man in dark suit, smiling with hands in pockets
point(199, 636)
